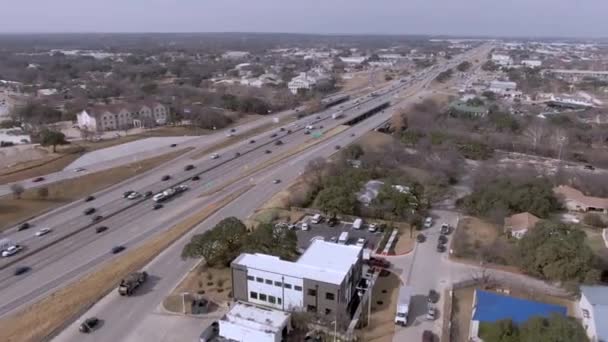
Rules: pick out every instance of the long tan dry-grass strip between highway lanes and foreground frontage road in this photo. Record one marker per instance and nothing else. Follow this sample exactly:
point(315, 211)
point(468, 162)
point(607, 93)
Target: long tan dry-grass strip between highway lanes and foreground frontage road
point(47, 316)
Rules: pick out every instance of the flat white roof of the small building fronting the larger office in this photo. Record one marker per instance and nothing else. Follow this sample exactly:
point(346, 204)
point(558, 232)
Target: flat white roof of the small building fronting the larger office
point(256, 318)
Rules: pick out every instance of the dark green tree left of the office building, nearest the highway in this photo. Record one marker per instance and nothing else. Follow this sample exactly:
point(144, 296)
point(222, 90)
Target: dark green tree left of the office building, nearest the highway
point(220, 245)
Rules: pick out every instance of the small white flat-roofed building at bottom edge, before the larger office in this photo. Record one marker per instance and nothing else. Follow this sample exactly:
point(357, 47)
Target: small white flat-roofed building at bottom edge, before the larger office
point(246, 322)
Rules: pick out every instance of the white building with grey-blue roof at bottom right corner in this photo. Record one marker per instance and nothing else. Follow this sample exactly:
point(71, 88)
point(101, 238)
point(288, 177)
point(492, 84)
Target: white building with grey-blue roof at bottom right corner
point(593, 311)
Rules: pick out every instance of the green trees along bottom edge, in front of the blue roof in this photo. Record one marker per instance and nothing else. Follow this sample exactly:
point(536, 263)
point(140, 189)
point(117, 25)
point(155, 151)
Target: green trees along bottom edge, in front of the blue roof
point(555, 328)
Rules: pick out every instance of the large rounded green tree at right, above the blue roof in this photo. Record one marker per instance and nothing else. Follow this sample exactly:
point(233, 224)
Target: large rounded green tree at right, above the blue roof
point(557, 252)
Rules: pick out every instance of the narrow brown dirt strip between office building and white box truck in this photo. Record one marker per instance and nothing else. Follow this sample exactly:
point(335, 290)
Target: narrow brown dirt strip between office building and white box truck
point(384, 306)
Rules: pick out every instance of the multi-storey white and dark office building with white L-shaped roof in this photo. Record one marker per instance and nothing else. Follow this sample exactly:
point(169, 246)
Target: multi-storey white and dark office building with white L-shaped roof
point(315, 282)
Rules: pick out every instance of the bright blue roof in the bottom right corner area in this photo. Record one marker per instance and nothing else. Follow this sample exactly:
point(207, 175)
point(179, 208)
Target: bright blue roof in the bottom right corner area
point(492, 307)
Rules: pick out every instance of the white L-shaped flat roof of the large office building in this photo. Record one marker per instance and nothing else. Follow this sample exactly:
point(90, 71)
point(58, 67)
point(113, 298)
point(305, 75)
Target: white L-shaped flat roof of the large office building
point(323, 261)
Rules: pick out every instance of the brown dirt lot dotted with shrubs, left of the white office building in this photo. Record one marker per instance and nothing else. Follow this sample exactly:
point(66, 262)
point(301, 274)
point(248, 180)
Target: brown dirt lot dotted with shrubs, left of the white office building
point(212, 284)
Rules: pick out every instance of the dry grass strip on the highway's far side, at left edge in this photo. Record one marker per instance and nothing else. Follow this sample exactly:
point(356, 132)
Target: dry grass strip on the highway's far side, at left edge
point(13, 211)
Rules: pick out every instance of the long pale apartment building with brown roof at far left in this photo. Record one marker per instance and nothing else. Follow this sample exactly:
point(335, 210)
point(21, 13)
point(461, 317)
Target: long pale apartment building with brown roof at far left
point(120, 116)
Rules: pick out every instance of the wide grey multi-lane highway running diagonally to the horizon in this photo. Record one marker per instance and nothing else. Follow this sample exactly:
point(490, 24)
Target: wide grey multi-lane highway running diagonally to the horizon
point(80, 249)
